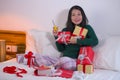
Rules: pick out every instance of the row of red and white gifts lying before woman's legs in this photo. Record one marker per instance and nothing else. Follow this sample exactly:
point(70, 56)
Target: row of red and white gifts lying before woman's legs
point(50, 71)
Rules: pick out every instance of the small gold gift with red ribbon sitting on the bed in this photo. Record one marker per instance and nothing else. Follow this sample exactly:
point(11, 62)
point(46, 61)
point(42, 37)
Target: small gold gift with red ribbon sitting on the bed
point(87, 69)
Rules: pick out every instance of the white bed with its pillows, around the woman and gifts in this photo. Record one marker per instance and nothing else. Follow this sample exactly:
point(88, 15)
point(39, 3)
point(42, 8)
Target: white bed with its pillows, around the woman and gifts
point(106, 61)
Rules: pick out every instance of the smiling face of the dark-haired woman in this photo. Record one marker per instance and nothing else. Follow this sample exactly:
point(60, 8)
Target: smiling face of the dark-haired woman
point(76, 16)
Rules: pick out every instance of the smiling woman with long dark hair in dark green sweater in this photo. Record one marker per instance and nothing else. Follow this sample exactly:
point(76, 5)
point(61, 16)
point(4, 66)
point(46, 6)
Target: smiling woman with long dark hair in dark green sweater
point(76, 16)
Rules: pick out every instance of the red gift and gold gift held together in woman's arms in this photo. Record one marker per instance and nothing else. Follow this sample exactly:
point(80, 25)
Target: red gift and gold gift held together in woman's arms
point(65, 36)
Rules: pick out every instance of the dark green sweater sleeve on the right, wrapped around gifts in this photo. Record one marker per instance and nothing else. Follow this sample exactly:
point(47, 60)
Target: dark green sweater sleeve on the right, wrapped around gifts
point(91, 38)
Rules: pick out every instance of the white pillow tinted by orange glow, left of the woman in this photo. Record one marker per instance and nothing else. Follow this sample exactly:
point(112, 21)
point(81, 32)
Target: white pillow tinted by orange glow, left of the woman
point(41, 42)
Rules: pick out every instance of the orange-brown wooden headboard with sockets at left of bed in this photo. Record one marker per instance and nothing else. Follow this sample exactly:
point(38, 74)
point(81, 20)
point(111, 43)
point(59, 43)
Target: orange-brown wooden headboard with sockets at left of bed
point(13, 38)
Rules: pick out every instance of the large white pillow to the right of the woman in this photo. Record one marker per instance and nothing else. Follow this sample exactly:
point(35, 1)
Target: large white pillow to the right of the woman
point(108, 54)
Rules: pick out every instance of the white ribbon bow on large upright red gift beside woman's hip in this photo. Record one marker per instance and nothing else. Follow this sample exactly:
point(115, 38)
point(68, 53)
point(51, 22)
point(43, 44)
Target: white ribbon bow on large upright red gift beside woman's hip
point(84, 55)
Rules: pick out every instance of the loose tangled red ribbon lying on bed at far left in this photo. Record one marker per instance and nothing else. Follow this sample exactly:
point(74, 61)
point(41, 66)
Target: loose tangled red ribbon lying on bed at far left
point(14, 70)
